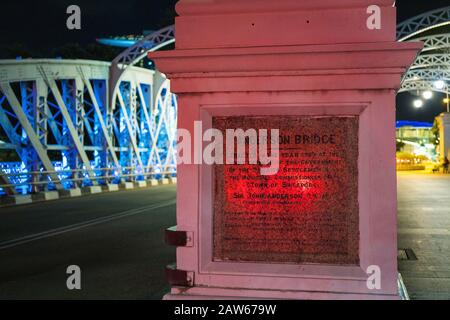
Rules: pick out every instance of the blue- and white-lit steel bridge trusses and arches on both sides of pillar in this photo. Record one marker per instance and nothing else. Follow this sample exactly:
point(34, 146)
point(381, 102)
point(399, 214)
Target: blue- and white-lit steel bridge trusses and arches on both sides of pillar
point(67, 124)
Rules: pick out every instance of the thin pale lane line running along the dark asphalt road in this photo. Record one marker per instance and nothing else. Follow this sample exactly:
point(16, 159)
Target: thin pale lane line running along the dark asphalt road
point(81, 225)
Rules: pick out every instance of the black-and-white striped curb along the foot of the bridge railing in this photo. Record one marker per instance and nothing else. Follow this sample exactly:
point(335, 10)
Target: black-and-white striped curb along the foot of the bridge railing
point(9, 201)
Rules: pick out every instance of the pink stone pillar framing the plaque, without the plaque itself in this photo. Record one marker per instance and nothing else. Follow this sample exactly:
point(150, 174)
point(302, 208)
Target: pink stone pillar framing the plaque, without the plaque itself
point(278, 59)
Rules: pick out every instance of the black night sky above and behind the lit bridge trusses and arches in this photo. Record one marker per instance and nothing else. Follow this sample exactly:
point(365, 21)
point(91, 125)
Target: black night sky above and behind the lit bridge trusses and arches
point(41, 25)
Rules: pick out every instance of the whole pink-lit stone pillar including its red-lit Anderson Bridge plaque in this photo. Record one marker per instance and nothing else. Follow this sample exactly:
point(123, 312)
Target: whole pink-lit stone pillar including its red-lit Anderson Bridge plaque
point(326, 76)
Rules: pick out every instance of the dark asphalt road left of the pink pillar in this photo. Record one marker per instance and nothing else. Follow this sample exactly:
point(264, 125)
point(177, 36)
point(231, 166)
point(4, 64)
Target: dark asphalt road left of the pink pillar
point(117, 239)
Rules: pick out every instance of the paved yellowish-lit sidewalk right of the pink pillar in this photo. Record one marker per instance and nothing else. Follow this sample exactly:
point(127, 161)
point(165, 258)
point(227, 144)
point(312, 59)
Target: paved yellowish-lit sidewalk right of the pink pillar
point(424, 227)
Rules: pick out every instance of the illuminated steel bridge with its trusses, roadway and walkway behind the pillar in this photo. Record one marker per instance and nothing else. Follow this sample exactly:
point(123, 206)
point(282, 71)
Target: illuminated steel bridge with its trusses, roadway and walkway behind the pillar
point(73, 127)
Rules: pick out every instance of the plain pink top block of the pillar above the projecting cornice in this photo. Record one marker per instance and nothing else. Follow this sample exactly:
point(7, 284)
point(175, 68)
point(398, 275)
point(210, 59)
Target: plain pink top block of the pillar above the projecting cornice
point(255, 23)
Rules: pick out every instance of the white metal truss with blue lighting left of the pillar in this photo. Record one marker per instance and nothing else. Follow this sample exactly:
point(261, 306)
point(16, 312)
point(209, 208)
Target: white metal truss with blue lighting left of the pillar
point(56, 117)
